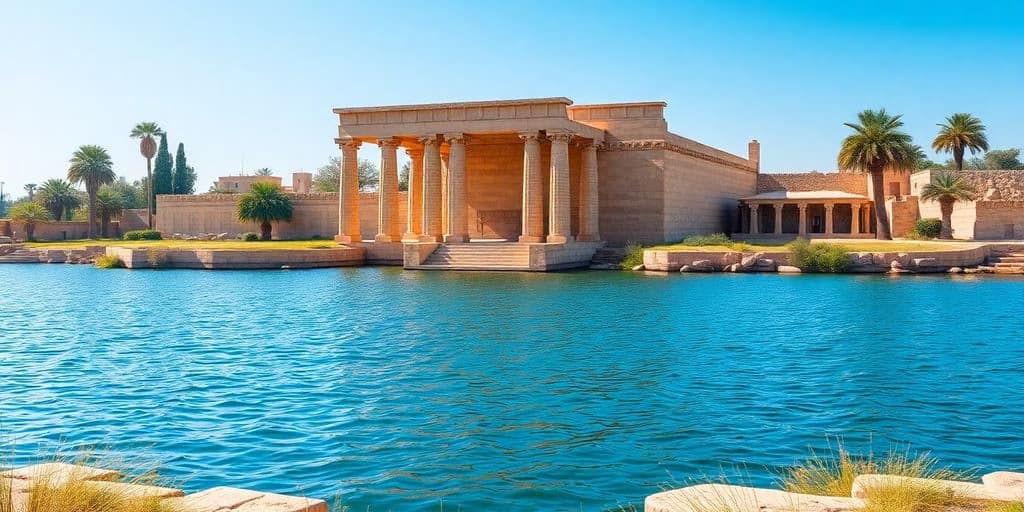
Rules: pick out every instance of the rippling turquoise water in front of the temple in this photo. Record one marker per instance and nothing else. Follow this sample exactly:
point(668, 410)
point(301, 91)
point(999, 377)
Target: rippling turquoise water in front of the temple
point(564, 392)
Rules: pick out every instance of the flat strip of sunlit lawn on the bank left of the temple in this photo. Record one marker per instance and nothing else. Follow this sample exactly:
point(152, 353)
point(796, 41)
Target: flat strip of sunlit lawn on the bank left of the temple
point(233, 245)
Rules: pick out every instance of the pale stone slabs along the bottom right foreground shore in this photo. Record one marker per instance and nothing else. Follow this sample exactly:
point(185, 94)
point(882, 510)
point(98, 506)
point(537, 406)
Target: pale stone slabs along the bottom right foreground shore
point(999, 487)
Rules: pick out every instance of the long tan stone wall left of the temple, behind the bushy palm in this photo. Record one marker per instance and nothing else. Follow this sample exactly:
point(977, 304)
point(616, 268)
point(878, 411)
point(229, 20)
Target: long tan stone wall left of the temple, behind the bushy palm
point(315, 216)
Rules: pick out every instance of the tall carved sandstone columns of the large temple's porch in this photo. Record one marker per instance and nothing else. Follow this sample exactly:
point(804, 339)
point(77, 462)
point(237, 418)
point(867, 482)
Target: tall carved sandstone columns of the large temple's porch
point(438, 207)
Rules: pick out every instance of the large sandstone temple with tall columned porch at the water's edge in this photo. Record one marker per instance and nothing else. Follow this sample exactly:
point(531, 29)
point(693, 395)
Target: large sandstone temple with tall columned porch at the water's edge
point(537, 173)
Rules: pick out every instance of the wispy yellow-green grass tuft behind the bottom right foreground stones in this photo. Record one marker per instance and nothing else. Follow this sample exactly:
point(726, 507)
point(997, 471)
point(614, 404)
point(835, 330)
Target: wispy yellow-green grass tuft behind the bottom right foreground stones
point(833, 475)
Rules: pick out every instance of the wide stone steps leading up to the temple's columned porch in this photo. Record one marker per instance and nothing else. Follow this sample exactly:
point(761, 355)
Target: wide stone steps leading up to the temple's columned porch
point(479, 257)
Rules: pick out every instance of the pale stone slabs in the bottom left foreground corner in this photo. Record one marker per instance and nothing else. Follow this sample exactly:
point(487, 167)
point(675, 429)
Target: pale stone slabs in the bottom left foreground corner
point(20, 483)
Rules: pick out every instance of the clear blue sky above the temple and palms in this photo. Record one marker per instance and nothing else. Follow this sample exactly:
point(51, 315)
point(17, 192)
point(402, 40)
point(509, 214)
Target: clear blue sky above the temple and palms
point(258, 80)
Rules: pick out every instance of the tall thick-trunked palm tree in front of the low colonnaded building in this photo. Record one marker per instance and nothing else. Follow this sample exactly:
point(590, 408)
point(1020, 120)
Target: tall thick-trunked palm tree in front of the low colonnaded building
point(878, 146)
